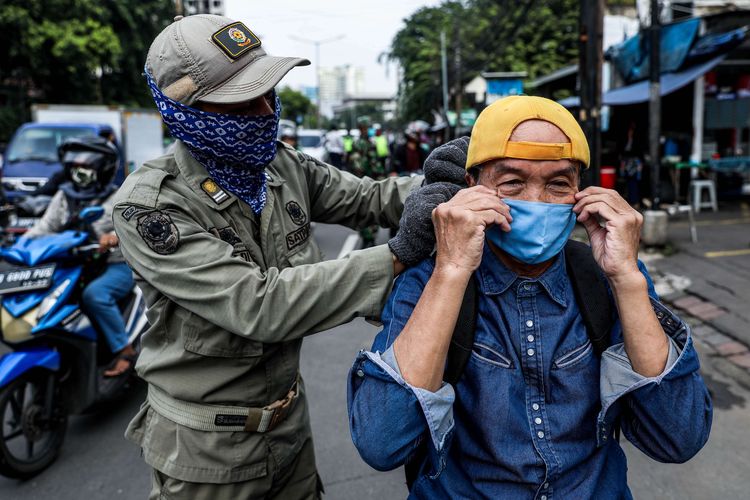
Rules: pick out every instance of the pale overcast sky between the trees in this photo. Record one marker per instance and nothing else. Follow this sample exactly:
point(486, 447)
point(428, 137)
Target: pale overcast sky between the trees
point(368, 28)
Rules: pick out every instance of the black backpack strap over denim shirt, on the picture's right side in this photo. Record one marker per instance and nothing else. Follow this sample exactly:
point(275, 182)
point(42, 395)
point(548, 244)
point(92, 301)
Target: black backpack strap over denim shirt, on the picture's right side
point(592, 297)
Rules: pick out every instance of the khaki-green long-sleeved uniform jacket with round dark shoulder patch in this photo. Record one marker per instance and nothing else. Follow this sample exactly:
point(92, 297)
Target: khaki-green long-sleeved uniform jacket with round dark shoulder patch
point(231, 295)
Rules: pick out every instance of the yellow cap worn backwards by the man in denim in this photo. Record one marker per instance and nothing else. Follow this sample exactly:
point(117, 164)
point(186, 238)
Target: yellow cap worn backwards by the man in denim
point(490, 138)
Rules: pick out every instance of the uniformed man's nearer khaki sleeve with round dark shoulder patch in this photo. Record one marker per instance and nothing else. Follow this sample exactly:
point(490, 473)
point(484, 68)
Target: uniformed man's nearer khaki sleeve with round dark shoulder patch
point(196, 270)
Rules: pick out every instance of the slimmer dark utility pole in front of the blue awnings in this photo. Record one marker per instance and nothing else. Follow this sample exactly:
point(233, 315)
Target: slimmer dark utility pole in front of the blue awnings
point(654, 103)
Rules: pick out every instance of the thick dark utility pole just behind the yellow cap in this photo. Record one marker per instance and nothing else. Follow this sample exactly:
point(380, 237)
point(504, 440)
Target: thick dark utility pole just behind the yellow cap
point(590, 61)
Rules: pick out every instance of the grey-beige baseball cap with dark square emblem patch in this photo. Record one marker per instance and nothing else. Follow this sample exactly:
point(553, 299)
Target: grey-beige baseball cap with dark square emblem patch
point(214, 59)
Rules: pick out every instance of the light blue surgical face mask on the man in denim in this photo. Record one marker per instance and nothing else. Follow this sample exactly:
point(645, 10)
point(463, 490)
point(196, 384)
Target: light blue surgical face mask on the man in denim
point(538, 232)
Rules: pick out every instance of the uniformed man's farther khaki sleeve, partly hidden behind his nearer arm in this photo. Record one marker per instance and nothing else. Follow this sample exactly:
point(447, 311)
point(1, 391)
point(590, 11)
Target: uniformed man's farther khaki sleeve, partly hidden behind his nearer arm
point(338, 197)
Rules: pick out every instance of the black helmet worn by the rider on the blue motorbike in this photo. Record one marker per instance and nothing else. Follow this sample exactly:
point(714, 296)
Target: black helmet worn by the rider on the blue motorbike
point(90, 163)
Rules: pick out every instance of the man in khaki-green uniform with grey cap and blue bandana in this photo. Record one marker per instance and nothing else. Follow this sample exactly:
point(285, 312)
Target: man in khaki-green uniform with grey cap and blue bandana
point(218, 235)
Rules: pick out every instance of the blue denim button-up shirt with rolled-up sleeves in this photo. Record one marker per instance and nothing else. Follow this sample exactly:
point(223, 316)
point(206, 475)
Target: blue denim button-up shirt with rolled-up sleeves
point(535, 411)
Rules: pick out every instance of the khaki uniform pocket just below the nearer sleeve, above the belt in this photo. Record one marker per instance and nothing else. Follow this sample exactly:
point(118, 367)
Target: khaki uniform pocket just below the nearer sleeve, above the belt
point(209, 340)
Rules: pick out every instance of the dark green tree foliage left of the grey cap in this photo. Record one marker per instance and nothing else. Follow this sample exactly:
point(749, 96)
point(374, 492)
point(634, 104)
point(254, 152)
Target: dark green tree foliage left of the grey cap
point(78, 51)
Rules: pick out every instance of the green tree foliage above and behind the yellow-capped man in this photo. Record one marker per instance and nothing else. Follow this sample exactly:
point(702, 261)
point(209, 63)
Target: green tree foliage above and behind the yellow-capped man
point(536, 36)
